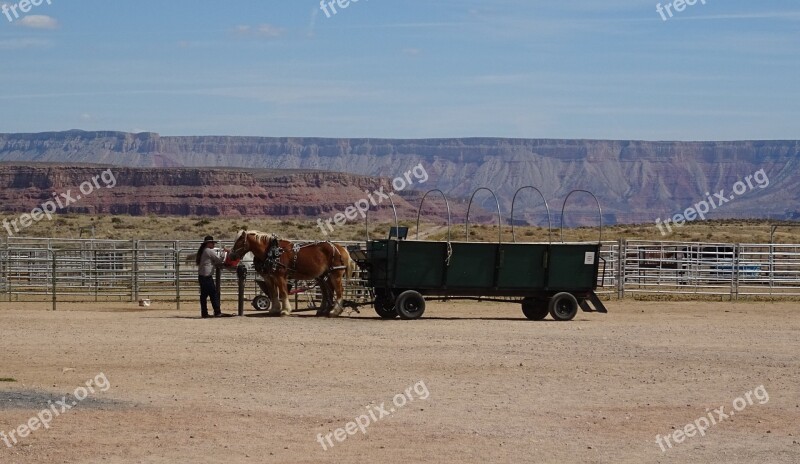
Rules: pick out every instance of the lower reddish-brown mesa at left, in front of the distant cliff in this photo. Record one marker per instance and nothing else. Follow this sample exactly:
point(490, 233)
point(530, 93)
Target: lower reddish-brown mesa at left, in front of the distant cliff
point(187, 191)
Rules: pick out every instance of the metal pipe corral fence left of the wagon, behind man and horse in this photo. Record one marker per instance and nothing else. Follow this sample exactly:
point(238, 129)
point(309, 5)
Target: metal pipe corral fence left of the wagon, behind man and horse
point(112, 270)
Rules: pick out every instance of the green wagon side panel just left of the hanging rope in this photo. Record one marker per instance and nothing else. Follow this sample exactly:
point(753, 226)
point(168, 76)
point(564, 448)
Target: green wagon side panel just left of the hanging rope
point(418, 264)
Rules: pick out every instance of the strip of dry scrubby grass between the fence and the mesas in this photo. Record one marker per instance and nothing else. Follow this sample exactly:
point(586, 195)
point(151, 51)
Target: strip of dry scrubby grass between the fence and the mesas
point(189, 228)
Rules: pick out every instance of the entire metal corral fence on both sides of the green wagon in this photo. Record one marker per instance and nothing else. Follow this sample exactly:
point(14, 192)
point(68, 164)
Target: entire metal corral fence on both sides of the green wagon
point(62, 270)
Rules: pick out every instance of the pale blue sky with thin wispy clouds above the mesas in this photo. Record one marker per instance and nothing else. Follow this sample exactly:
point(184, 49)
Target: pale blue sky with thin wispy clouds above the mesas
point(607, 69)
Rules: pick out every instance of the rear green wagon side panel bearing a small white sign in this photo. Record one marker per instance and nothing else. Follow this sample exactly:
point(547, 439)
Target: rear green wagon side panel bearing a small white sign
point(568, 268)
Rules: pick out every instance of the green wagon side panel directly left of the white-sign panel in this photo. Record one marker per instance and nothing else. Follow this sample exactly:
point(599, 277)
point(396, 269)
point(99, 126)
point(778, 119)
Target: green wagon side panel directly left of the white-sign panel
point(522, 266)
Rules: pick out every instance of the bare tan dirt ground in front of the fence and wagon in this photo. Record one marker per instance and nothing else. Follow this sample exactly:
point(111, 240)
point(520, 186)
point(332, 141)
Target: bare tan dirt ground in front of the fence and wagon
point(485, 385)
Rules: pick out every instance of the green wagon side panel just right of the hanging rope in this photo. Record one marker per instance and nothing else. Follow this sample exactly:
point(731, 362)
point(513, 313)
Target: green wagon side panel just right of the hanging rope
point(472, 265)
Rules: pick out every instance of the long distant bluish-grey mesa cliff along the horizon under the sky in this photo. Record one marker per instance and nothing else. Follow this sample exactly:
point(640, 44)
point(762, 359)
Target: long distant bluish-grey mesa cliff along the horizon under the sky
point(636, 181)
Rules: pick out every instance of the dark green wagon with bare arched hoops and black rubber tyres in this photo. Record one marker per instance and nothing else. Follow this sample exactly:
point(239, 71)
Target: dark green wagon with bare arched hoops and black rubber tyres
point(546, 278)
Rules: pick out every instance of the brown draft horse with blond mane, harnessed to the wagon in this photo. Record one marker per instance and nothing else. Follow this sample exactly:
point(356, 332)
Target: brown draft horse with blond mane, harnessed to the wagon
point(280, 260)
